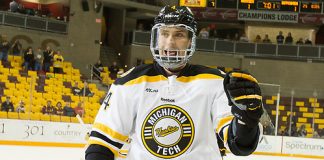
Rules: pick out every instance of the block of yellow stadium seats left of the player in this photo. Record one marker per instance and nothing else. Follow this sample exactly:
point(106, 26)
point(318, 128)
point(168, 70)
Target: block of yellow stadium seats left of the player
point(35, 89)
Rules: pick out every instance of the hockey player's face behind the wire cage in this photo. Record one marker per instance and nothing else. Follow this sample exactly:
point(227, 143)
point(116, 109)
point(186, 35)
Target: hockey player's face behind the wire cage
point(173, 39)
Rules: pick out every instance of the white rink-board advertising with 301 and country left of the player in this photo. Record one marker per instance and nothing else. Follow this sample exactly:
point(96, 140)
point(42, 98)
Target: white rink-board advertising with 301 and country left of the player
point(41, 131)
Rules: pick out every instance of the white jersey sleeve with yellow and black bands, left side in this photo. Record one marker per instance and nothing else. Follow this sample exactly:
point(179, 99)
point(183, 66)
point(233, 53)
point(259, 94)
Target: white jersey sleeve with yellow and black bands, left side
point(114, 121)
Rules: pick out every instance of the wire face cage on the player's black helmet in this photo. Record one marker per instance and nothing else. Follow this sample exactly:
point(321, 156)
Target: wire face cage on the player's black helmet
point(171, 58)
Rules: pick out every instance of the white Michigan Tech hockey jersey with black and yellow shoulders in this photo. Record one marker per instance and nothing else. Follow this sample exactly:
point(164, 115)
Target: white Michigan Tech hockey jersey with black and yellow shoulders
point(152, 116)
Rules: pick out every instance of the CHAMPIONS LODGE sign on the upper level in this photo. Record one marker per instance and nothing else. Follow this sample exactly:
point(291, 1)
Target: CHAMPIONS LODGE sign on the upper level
point(285, 17)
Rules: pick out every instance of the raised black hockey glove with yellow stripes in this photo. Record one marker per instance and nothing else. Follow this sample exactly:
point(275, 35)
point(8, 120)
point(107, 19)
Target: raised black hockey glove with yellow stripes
point(244, 95)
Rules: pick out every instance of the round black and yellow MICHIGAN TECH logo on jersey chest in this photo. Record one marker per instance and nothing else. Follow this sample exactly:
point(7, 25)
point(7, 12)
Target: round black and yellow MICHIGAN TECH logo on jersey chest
point(167, 131)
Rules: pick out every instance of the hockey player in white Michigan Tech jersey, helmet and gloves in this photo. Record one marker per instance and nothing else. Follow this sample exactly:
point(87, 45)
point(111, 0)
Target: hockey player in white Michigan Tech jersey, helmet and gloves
point(173, 110)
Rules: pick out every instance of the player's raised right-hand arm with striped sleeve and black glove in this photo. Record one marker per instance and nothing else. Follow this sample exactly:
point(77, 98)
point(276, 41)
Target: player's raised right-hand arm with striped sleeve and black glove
point(238, 124)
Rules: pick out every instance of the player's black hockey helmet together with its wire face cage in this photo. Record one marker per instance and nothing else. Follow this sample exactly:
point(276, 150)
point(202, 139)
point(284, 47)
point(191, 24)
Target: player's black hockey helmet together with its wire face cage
point(178, 17)
